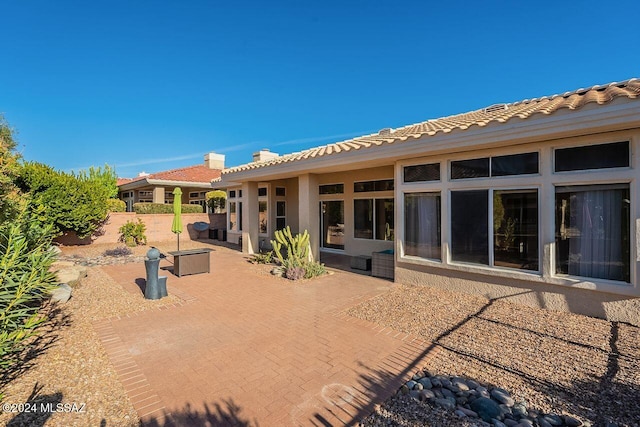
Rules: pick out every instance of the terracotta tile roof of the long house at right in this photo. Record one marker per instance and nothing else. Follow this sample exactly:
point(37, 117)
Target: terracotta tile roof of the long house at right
point(499, 113)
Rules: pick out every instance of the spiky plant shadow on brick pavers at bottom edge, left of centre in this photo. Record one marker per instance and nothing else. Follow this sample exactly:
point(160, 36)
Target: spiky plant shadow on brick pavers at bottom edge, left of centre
point(224, 414)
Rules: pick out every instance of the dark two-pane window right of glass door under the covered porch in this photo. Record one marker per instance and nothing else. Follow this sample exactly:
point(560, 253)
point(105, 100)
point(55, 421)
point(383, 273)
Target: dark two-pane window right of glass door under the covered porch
point(373, 219)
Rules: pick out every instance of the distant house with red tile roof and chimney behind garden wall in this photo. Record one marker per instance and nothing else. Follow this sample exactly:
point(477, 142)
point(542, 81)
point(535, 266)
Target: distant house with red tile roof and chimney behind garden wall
point(194, 181)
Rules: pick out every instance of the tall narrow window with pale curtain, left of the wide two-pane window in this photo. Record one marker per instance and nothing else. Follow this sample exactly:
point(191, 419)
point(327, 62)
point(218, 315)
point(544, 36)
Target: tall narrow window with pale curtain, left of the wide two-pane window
point(422, 225)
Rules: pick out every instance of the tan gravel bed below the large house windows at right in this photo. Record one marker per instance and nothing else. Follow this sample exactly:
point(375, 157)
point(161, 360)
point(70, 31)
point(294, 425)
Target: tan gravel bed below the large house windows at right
point(558, 362)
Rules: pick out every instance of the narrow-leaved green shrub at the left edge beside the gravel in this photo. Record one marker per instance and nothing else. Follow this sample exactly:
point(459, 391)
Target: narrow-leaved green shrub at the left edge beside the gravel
point(25, 284)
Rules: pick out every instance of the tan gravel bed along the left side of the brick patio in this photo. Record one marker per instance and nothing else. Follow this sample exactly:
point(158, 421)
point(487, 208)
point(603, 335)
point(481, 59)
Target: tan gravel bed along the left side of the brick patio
point(74, 369)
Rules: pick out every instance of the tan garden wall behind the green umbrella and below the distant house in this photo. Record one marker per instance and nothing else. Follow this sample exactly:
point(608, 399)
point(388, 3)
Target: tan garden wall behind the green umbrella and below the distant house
point(158, 227)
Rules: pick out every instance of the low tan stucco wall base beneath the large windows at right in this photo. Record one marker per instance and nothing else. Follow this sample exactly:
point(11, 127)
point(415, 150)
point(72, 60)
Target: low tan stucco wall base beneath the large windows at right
point(552, 297)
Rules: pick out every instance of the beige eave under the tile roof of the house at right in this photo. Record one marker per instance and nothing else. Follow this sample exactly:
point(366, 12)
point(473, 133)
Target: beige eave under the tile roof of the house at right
point(591, 119)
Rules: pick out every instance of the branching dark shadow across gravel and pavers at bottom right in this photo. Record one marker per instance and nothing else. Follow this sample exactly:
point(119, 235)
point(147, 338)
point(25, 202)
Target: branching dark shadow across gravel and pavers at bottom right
point(611, 397)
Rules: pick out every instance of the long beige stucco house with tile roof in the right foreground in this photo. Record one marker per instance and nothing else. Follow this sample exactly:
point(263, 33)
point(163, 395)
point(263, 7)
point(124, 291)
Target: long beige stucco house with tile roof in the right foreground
point(535, 201)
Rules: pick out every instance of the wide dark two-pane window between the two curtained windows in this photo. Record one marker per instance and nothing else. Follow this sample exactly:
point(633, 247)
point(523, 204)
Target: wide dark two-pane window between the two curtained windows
point(514, 227)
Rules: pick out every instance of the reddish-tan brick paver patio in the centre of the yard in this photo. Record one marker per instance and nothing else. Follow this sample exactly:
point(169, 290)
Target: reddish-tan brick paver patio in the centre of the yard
point(245, 348)
